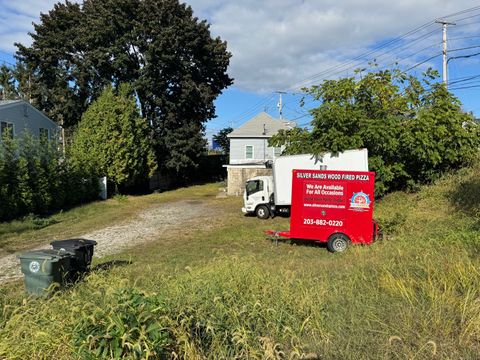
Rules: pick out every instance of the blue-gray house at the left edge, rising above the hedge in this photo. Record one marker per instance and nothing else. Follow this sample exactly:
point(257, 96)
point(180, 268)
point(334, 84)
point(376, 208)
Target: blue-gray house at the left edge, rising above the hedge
point(18, 116)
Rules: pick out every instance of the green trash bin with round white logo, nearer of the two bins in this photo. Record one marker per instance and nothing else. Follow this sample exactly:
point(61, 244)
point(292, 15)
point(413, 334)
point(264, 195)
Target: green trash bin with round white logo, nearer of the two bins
point(42, 268)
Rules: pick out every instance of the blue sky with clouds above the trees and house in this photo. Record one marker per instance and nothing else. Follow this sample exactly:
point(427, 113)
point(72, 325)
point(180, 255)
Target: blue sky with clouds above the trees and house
point(285, 45)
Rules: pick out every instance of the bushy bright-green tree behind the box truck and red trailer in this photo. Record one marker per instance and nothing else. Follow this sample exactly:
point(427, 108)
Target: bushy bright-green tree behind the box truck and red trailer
point(412, 135)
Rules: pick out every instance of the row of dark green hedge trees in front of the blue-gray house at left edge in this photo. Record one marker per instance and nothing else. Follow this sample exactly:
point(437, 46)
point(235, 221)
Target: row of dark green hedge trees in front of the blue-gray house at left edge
point(34, 178)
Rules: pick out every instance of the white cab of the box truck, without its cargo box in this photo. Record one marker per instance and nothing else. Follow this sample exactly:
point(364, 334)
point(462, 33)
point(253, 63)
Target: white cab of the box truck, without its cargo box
point(257, 196)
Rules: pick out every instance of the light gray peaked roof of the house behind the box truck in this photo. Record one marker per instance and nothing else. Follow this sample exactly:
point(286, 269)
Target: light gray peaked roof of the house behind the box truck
point(263, 126)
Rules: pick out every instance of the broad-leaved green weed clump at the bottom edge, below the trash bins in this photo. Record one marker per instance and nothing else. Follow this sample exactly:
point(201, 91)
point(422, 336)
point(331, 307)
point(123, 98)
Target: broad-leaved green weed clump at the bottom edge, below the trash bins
point(123, 323)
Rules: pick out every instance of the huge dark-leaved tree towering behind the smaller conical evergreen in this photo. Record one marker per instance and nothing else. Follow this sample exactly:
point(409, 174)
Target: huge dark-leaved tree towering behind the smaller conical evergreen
point(157, 46)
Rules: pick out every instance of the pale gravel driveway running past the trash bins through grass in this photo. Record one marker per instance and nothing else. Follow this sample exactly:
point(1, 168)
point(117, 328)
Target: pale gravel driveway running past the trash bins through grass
point(148, 226)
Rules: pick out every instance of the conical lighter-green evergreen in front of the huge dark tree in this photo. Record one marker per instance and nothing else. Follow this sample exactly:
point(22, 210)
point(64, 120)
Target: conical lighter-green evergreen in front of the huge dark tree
point(112, 139)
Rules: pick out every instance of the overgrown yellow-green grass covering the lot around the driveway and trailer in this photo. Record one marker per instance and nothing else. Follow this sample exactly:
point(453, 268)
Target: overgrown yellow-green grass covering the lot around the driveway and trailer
point(221, 290)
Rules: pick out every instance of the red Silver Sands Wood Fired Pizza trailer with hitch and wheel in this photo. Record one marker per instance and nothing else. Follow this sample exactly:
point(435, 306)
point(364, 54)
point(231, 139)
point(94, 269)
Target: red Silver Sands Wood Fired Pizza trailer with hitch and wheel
point(332, 206)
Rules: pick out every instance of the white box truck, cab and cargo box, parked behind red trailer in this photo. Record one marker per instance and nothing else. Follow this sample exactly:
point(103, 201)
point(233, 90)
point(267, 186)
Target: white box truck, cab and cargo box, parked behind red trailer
point(266, 196)
